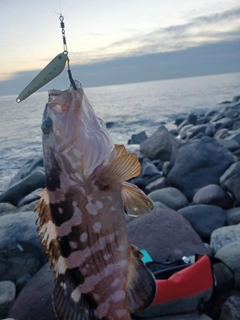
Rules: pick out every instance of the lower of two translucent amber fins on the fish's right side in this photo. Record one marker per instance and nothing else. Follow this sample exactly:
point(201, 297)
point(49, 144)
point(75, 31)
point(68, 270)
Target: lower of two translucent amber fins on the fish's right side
point(134, 200)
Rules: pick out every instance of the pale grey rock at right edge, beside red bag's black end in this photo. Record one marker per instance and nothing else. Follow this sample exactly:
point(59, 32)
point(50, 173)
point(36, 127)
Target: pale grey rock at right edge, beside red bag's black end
point(230, 254)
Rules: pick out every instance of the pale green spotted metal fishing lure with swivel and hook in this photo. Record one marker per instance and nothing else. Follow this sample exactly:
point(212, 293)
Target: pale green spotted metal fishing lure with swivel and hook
point(51, 71)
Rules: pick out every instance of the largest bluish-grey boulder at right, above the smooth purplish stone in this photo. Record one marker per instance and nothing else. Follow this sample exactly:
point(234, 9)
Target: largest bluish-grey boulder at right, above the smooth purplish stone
point(199, 163)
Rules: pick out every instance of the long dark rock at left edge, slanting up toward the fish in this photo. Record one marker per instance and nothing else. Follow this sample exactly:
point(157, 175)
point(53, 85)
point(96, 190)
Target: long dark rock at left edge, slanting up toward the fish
point(35, 180)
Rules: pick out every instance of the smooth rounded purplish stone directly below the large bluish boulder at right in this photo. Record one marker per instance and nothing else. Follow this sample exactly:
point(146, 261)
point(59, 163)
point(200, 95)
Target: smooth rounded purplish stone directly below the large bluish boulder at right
point(213, 194)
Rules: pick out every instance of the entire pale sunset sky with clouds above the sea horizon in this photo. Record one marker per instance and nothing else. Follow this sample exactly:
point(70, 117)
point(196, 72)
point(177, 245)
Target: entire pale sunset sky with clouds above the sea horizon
point(121, 41)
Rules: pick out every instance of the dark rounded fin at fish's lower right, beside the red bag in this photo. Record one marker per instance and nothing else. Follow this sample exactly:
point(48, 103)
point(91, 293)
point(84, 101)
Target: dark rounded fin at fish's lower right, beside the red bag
point(141, 284)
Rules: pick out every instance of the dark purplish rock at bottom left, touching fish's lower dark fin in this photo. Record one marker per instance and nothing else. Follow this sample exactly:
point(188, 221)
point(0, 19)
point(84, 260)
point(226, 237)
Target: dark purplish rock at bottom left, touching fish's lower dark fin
point(35, 300)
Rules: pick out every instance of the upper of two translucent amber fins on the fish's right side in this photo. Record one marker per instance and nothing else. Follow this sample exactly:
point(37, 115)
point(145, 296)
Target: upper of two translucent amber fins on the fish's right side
point(120, 169)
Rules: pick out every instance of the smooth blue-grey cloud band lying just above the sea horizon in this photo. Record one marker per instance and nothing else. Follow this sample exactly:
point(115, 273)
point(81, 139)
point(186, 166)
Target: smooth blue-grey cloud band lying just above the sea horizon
point(207, 59)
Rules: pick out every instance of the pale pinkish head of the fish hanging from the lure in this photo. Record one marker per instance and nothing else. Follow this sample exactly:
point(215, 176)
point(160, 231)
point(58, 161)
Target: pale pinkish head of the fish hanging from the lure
point(73, 135)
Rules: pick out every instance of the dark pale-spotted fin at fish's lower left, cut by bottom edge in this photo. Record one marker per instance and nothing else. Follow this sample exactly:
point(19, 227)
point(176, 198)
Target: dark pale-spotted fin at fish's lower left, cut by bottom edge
point(68, 302)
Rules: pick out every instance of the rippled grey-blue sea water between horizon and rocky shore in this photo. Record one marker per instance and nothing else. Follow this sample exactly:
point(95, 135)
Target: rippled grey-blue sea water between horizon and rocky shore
point(132, 108)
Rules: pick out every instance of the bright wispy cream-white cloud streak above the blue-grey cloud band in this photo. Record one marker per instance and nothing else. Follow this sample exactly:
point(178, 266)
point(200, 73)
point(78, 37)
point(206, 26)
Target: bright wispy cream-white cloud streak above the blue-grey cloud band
point(199, 30)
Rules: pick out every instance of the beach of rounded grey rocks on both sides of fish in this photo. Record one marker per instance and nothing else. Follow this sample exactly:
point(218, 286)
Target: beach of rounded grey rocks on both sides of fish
point(191, 173)
